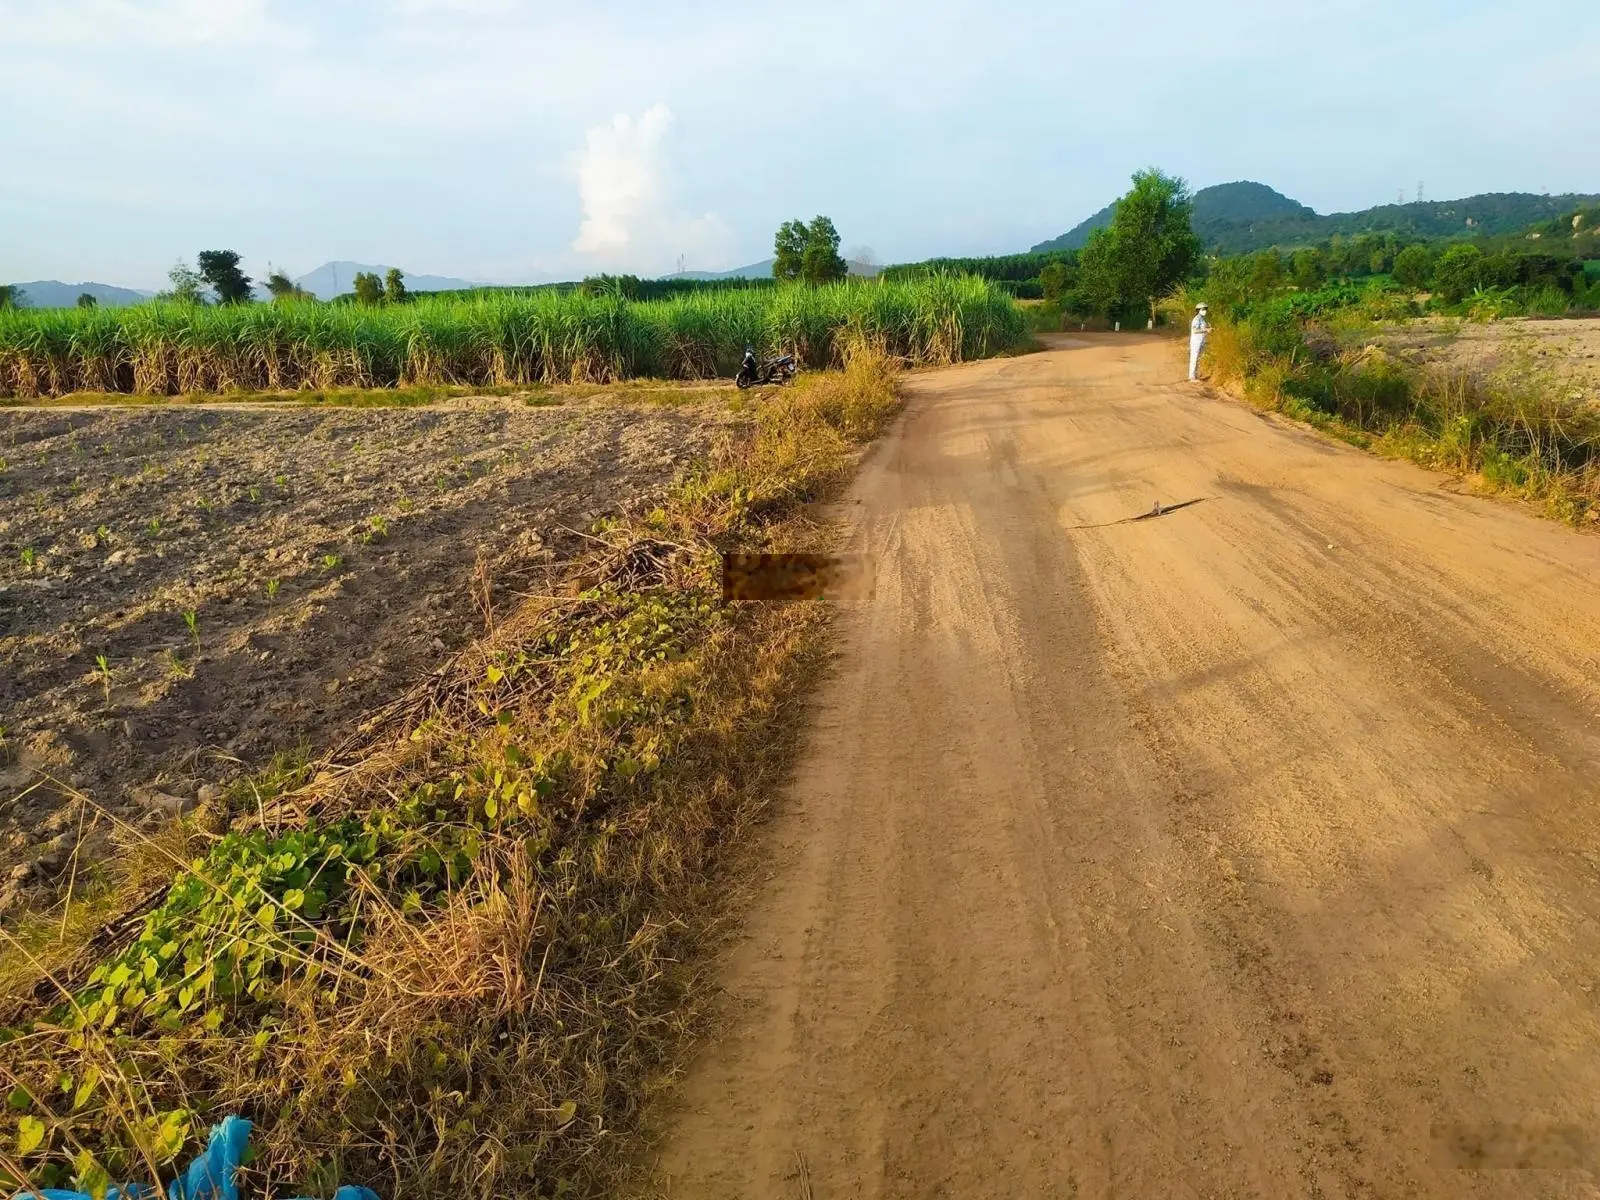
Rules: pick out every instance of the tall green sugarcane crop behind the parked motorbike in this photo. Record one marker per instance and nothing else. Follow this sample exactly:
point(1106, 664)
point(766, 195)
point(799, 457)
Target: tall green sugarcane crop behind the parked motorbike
point(166, 350)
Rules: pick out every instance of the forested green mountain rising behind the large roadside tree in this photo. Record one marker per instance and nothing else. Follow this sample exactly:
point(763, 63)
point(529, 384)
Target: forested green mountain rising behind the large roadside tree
point(1246, 217)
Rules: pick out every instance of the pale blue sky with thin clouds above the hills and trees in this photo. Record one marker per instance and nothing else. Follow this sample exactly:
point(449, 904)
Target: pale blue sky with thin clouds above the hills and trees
point(506, 140)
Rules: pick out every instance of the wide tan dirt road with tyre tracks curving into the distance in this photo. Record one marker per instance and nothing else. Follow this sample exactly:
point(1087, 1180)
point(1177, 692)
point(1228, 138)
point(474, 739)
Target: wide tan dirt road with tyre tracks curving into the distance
point(1252, 850)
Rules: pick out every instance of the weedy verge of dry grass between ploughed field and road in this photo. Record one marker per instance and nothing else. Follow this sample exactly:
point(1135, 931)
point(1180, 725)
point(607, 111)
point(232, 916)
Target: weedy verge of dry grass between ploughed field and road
point(460, 958)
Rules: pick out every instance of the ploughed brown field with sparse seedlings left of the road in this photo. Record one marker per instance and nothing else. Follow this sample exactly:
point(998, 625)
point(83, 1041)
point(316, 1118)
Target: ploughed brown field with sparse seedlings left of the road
point(327, 554)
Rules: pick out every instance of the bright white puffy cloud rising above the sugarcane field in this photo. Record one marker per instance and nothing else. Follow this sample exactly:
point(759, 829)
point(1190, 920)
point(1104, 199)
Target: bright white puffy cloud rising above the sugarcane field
point(628, 212)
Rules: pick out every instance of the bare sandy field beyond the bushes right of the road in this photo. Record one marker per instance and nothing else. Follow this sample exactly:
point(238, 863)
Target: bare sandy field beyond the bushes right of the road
point(1566, 348)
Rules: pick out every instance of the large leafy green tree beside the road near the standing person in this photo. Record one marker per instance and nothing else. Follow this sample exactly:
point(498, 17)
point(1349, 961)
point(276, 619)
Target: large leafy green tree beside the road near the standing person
point(1148, 249)
